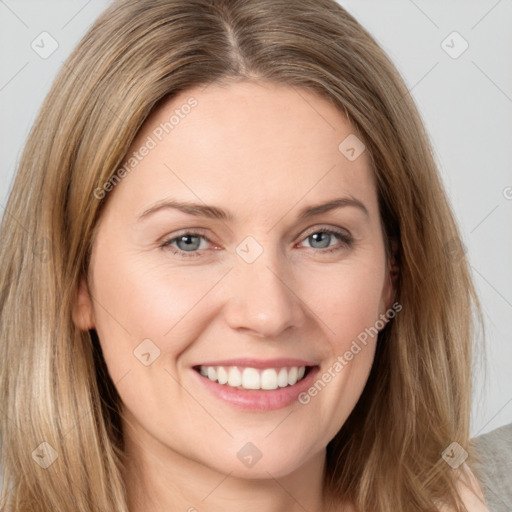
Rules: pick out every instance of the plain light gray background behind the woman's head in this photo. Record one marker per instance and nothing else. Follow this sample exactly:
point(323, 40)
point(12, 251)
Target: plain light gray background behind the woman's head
point(466, 103)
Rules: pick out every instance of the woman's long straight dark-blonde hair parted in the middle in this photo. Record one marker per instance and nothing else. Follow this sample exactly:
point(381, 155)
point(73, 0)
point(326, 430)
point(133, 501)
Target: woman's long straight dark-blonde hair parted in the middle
point(54, 385)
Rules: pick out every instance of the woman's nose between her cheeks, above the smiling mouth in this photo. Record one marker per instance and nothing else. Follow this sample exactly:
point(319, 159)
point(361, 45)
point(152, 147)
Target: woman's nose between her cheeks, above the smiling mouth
point(264, 301)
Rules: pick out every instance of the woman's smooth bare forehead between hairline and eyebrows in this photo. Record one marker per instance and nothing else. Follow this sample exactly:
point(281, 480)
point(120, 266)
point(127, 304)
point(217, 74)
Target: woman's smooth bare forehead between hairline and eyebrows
point(246, 144)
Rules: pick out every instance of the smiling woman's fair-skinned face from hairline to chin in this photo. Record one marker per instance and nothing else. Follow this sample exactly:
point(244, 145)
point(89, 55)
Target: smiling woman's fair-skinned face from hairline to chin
point(253, 280)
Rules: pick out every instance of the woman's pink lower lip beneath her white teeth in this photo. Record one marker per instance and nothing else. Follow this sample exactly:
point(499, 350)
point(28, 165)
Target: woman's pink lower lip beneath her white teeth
point(258, 399)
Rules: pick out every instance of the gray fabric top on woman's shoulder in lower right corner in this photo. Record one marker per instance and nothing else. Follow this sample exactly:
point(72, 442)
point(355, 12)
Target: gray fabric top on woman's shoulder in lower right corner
point(495, 469)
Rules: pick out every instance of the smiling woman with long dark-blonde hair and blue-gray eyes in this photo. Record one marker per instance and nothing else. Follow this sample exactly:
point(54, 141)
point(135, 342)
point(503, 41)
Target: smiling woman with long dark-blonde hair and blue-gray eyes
point(189, 346)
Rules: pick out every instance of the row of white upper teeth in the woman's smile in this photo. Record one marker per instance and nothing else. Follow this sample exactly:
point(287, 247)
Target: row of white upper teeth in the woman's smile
point(251, 378)
